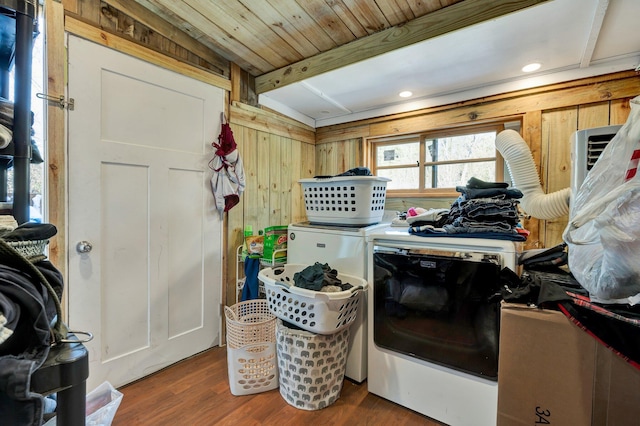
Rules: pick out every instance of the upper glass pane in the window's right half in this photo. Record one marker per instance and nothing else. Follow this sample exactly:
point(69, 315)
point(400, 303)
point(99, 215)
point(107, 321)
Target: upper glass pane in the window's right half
point(479, 145)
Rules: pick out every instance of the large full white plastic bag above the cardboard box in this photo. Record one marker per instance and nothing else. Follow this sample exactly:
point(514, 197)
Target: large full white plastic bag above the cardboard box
point(603, 233)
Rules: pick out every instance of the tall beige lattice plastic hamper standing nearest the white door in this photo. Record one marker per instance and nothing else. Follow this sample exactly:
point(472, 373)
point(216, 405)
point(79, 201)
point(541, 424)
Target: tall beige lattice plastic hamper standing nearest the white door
point(251, 347)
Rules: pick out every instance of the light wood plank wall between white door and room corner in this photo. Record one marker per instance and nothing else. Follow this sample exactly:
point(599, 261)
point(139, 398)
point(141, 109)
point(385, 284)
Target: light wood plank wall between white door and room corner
point(276, 152)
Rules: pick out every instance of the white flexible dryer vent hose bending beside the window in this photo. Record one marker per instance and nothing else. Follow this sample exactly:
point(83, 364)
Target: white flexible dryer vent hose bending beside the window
point(525, 177)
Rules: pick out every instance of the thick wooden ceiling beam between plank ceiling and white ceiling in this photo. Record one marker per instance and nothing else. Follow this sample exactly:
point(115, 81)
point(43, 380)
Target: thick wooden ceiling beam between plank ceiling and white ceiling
point(442, 21)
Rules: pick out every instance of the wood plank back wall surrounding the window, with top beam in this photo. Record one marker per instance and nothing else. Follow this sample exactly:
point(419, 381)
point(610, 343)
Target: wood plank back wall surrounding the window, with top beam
point(549, 116)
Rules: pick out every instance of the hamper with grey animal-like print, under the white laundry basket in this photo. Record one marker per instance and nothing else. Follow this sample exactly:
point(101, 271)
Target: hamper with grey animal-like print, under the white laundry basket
point(311, 366)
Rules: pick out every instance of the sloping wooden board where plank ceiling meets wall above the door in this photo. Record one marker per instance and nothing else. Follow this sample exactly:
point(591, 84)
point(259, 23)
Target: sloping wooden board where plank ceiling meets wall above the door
point(166, 29)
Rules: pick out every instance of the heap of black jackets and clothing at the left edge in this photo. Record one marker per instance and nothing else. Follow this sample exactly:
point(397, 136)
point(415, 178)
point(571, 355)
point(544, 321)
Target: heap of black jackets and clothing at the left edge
point(30, 289)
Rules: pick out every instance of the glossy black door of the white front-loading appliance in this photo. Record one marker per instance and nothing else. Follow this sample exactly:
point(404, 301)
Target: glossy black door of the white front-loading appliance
point(443, 309)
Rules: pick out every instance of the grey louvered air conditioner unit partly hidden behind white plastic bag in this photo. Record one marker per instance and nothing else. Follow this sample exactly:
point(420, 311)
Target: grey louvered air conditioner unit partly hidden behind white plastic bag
point(587, 145)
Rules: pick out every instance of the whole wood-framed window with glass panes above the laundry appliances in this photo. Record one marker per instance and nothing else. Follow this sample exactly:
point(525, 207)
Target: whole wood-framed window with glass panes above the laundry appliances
point(434, 163)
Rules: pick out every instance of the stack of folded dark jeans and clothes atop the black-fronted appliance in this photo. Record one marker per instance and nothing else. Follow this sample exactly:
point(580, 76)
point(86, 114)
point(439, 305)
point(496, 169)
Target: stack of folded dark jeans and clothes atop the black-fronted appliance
point(483, 210)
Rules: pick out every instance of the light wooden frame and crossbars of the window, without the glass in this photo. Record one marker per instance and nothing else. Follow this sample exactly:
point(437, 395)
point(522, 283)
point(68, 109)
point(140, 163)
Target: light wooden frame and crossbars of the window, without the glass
point(375, 142)
